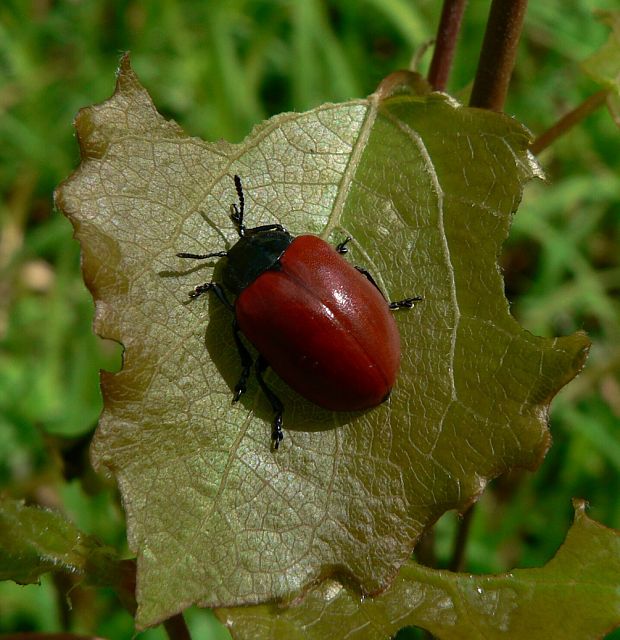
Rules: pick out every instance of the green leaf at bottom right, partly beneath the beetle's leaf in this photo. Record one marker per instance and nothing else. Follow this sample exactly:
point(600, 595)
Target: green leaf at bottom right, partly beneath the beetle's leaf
point(574, 597)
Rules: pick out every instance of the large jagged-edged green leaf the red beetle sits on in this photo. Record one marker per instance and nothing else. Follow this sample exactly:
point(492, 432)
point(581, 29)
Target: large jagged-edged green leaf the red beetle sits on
point(426, 189)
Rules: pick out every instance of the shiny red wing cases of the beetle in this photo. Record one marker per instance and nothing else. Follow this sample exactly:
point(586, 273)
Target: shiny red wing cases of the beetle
point(322, 327)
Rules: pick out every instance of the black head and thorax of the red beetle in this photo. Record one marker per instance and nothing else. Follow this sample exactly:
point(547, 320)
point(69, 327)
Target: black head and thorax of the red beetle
point(253, 254)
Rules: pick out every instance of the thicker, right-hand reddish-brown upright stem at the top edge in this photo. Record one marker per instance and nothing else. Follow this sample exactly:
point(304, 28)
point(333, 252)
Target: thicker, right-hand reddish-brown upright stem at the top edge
point(498, 54)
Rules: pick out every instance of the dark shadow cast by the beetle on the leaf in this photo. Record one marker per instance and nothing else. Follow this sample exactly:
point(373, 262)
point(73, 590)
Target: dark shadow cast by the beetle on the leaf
point(299, 413)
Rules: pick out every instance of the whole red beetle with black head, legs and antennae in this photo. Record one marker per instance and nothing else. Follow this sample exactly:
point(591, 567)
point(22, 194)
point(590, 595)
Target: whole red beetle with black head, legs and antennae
point(322, 325)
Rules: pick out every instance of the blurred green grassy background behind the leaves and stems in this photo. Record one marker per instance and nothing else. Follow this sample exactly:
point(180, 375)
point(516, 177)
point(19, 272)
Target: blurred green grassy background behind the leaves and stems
point(218, 68)
